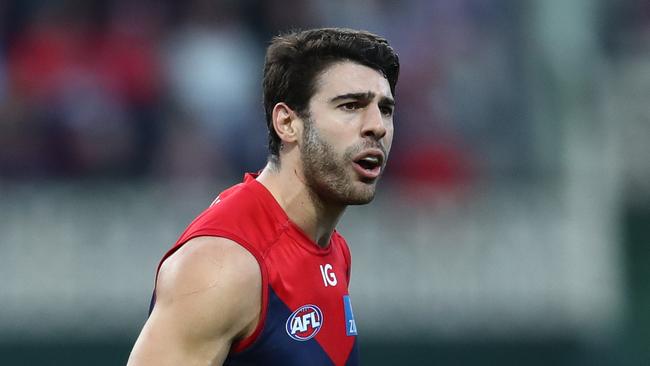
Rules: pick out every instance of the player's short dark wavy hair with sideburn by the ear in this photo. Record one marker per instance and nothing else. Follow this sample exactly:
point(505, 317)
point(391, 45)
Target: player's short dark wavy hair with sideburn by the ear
point(294, 60)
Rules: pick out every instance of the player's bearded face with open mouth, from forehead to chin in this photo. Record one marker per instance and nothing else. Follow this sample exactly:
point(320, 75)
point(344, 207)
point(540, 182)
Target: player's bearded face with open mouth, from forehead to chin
point(348, 133)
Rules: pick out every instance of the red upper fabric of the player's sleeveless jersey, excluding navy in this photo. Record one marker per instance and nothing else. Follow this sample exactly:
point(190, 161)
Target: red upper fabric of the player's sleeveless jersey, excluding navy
point(289, 261)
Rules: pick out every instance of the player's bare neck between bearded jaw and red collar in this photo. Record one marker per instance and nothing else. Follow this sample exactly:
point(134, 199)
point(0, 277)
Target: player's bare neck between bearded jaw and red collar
point(304, 207)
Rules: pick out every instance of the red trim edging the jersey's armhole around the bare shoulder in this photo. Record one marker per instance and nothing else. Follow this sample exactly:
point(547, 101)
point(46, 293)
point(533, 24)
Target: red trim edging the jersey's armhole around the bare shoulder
point(242, 344)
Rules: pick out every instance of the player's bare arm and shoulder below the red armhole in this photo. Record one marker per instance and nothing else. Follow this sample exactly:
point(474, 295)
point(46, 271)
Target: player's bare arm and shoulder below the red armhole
point(208, 295)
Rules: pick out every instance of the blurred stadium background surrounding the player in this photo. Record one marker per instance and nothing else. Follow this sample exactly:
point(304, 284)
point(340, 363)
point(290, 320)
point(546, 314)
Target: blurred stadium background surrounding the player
point(512, 227)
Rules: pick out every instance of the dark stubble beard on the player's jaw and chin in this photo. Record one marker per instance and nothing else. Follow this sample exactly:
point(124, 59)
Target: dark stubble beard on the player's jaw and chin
point(327, 174)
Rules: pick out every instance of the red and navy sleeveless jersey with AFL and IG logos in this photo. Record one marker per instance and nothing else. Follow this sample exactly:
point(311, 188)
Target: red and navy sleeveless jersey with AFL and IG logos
point(306, 316)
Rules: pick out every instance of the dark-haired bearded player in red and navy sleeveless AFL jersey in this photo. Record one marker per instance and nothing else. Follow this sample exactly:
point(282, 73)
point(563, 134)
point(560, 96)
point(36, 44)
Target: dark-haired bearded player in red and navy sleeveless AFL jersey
point(261, 277)
